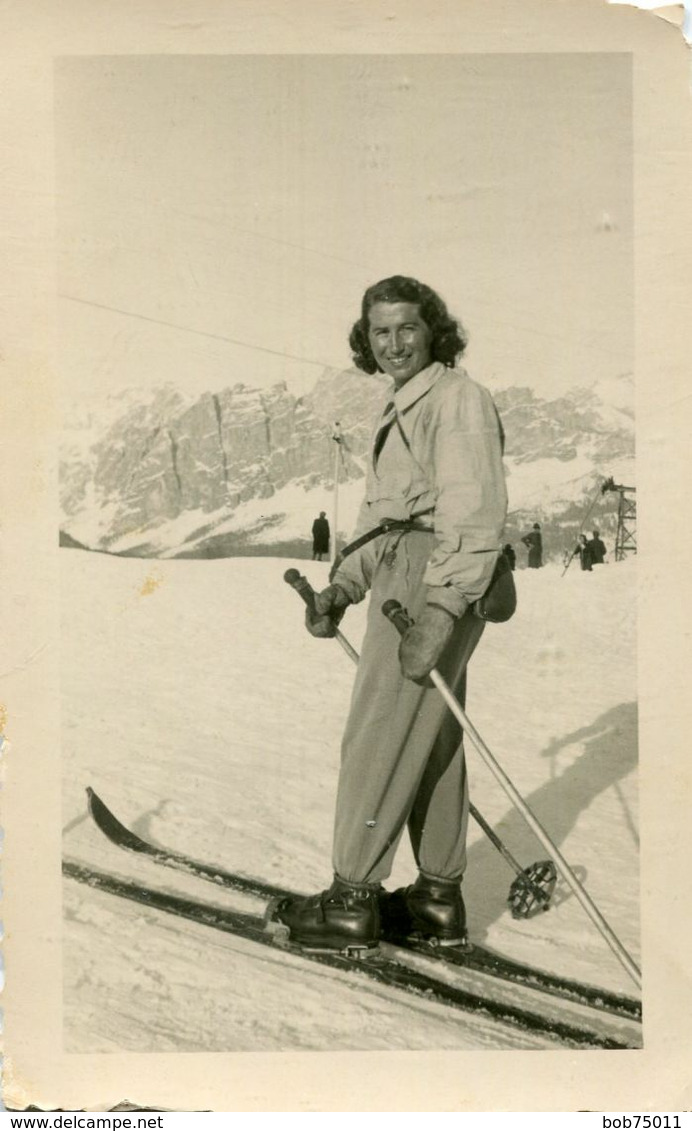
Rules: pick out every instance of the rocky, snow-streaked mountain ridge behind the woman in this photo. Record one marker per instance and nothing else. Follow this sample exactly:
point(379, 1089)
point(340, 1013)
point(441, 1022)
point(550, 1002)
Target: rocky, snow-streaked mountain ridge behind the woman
point(167, 474)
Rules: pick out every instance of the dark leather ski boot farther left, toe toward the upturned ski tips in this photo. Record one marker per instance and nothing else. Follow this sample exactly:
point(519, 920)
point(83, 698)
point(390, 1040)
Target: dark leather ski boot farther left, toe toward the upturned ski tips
point(345, 919)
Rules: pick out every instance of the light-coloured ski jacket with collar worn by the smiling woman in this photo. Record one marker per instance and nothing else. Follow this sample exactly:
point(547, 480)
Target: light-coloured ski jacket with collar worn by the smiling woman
point(437, 453)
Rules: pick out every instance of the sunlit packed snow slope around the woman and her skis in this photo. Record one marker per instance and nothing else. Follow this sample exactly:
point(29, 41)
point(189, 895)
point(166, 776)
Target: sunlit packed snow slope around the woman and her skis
point(210, 721)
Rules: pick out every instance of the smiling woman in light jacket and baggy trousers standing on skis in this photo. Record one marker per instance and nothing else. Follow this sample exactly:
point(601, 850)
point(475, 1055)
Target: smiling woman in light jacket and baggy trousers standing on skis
point(438, 474)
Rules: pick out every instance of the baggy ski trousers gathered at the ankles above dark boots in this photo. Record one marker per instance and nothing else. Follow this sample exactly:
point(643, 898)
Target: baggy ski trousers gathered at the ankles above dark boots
point(403, 754)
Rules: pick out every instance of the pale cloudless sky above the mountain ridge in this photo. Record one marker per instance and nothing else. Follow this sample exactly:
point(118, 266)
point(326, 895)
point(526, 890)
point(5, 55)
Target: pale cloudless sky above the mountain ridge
point(219, 218)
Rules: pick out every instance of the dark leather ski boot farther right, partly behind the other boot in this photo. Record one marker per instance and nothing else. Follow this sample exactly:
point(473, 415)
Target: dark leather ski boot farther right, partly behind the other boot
point(431, 911)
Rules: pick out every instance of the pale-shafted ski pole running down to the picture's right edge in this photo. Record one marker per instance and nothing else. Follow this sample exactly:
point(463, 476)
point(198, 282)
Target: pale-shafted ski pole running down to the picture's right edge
point(402, 621)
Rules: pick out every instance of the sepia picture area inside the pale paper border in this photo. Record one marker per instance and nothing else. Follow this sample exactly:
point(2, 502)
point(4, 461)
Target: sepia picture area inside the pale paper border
point(348, 552)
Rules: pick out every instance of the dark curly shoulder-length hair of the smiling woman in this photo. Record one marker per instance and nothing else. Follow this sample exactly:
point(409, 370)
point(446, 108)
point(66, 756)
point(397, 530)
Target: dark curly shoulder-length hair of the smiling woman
point(449, 338)
